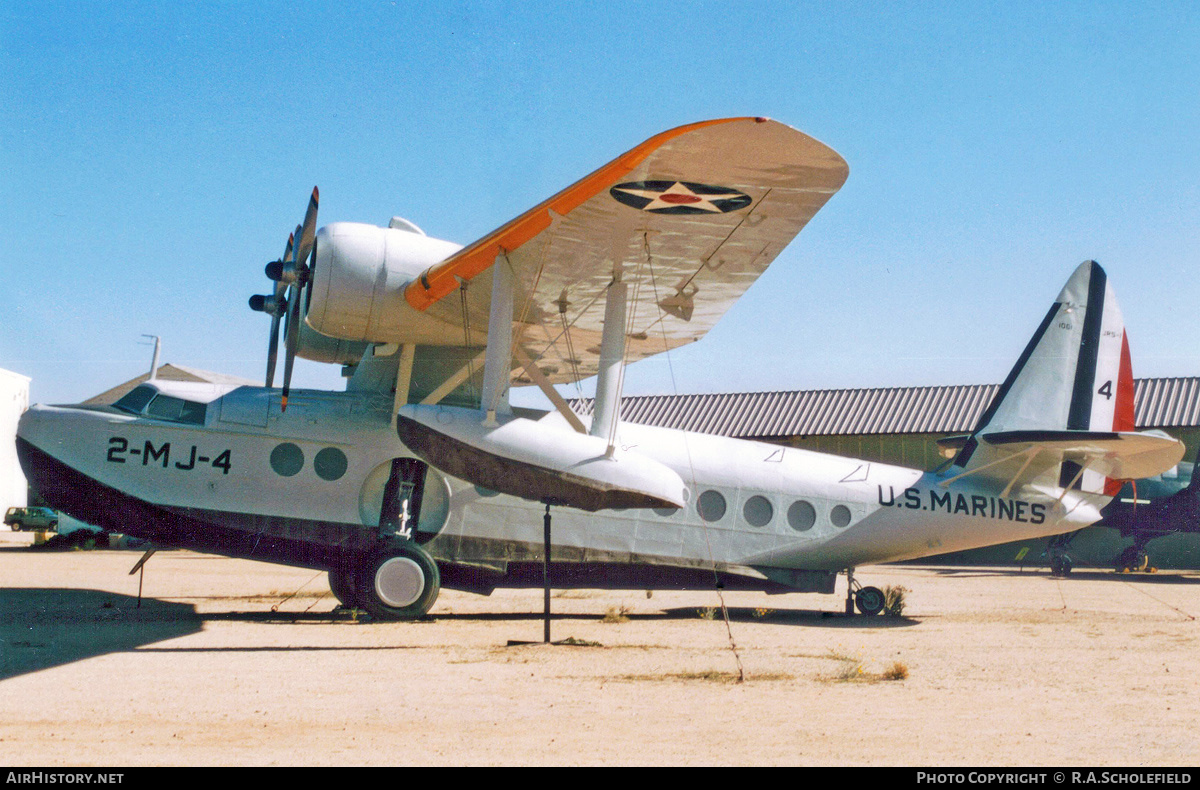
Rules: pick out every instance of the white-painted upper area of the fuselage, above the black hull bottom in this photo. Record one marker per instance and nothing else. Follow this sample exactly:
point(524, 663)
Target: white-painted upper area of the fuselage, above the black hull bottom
point(865, 512)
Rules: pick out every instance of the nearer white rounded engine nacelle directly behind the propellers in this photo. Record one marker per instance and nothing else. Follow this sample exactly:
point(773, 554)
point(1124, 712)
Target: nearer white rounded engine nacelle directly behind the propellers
point(358, 289)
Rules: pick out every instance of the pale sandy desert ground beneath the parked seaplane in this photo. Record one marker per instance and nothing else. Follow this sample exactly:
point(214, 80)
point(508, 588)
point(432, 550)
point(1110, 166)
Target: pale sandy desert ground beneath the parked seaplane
point(238, 663)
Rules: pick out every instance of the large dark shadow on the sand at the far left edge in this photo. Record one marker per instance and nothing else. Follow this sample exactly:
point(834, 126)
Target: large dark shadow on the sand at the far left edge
point(46, 629)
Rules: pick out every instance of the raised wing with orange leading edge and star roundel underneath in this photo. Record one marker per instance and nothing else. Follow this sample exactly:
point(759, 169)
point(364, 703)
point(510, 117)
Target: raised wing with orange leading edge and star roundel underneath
point(691, 218)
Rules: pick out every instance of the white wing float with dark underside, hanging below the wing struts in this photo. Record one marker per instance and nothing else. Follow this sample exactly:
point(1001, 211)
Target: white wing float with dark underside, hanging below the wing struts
point(537, 460)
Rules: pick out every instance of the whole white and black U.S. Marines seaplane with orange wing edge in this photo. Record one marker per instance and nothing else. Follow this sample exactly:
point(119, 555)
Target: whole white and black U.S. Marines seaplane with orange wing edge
point(422, 475)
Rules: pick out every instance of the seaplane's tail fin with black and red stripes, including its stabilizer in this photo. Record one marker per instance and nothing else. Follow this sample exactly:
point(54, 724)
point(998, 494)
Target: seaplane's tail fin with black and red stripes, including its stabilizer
point(1066, 409)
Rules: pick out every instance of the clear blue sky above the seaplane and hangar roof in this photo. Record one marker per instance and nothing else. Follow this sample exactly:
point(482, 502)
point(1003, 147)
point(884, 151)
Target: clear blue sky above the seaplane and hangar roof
point(154, 157)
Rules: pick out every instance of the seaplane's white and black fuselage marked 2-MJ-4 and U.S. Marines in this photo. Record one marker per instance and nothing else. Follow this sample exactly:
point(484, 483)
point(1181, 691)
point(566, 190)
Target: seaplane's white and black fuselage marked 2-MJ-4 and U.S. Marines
point(307, 487)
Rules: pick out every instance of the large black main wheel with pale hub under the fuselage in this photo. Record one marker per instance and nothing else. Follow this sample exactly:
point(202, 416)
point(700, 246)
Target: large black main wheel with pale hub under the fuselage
point(399, 582)
